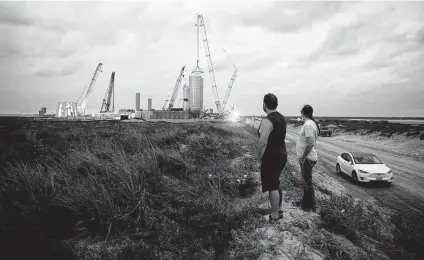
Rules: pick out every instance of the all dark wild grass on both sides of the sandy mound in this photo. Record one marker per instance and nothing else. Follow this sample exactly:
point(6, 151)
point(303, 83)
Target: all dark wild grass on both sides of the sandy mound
point(91, 190)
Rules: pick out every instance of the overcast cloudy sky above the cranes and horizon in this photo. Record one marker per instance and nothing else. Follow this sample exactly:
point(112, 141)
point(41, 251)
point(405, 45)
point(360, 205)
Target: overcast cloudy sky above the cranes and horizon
point(343, 58)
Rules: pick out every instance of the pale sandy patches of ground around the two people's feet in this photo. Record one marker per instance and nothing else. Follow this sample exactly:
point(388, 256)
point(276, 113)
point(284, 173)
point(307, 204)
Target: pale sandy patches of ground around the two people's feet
point(292, 236)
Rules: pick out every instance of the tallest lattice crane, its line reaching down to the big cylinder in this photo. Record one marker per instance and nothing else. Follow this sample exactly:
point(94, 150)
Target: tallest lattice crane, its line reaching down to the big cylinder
point(201, 23)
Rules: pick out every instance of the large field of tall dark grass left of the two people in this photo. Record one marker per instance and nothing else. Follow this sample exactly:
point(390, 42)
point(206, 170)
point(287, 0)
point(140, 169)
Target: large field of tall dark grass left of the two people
point(160, 191)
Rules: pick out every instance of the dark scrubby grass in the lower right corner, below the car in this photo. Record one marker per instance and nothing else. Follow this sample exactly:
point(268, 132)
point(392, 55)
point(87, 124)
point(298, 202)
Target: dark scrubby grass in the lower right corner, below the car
point(380, 236)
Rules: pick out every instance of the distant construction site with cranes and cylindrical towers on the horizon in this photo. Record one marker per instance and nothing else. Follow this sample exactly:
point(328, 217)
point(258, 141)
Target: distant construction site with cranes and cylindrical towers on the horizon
point(190, 106)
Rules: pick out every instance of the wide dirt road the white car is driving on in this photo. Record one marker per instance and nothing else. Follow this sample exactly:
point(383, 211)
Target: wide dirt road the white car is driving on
point(406, 194)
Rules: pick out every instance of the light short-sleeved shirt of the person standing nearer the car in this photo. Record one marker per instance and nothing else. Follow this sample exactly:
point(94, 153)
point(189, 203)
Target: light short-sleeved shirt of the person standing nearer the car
point(309, 129)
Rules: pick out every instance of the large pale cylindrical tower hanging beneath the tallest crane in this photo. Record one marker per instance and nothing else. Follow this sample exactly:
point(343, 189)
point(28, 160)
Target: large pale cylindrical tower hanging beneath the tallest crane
point(195, 90)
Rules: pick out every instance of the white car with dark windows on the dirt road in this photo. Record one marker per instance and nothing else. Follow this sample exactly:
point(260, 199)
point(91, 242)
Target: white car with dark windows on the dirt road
point(363, 167)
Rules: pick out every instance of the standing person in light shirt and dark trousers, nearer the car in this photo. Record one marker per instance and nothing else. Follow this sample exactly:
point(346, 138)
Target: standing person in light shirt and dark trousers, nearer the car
point(307, 156)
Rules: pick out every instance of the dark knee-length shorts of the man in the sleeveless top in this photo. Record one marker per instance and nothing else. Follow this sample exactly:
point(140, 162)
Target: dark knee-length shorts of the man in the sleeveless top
point(270, 173)
